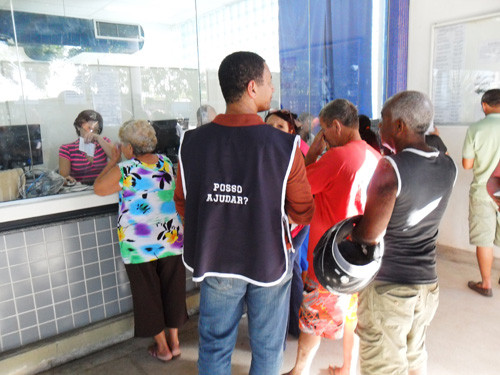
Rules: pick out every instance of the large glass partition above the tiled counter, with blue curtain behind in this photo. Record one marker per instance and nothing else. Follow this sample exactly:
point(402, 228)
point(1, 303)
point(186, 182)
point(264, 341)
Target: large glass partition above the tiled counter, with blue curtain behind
point(159, 61)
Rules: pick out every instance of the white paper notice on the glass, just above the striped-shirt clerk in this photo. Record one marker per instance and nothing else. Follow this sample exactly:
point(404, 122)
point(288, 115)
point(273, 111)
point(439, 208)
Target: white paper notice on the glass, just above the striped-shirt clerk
point(106, 96)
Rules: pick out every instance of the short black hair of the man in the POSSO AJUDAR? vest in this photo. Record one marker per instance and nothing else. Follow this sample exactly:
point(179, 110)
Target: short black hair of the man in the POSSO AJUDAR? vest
point(236, 71)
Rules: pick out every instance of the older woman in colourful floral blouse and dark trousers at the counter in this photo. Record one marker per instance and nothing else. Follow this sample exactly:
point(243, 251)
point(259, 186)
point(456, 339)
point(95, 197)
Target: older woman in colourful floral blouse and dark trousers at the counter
point(150, 235)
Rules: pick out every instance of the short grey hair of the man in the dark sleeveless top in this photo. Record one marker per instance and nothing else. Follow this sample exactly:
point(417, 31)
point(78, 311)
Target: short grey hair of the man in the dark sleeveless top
point(414, 108)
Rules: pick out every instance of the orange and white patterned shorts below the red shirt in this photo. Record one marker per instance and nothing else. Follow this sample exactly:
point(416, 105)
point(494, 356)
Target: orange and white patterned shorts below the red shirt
point(323, 313)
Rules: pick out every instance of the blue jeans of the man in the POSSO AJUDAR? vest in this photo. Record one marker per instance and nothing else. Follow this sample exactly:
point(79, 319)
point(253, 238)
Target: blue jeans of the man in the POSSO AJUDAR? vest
point(221, 306)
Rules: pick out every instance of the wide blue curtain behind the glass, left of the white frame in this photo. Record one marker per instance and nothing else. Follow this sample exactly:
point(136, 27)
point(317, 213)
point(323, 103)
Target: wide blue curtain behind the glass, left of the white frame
point(325, 53)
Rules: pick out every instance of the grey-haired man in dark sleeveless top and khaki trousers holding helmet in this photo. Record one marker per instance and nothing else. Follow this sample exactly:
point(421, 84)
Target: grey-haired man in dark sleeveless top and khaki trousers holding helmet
point(406, 200)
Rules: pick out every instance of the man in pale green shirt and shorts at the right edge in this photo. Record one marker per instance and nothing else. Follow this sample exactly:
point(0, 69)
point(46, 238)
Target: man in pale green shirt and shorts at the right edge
point(481, 153)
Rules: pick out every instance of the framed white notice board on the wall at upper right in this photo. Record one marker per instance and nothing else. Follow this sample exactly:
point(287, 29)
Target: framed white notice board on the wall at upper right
point(465, 62)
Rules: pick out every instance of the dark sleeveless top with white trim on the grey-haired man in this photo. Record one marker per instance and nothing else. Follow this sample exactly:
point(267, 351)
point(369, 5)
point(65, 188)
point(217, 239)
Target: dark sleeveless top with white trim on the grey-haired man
point(425, 182)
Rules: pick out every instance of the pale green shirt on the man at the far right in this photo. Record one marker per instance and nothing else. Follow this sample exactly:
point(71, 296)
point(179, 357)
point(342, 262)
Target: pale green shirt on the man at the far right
point(482, 143)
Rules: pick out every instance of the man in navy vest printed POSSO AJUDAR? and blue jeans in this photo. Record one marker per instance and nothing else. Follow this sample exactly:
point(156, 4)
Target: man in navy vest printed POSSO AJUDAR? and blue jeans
point(240, 184)
